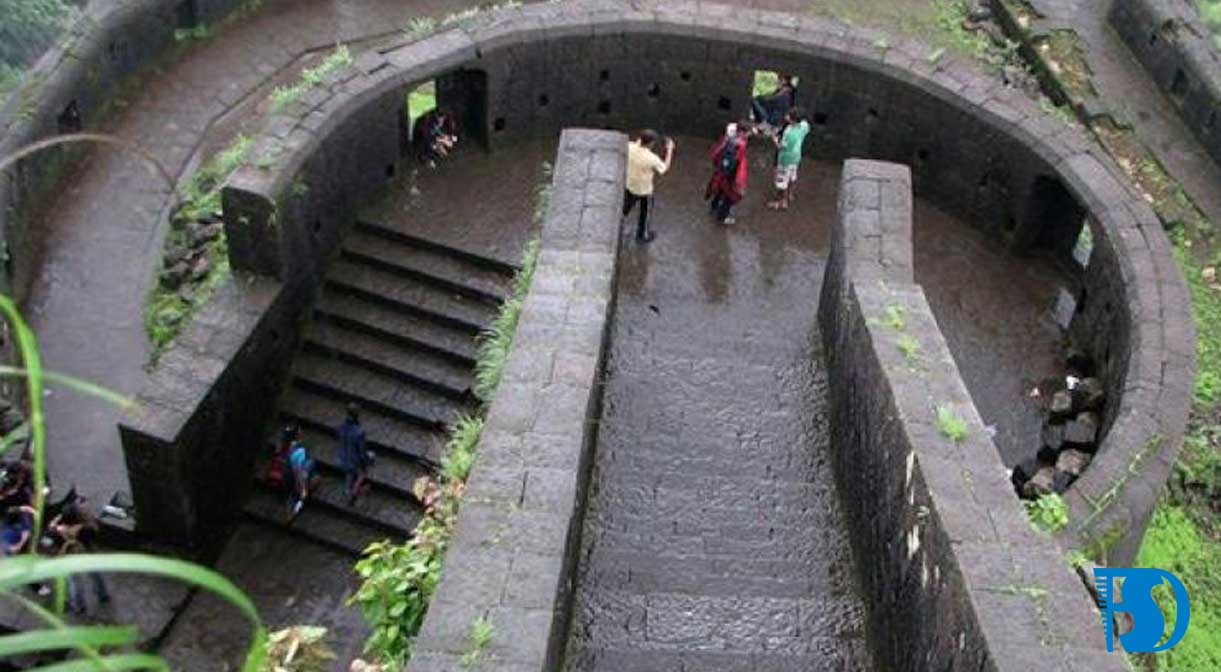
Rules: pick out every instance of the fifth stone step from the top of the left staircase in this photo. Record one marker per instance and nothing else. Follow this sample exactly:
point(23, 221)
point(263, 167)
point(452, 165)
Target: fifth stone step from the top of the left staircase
point(389, 359)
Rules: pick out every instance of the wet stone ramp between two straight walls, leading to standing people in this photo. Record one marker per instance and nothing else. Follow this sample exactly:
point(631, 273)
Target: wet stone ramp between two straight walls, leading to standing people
point(714, 539)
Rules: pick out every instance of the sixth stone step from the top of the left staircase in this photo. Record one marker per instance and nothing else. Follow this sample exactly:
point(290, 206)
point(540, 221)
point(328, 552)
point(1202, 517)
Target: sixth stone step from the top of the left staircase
point(349, 383)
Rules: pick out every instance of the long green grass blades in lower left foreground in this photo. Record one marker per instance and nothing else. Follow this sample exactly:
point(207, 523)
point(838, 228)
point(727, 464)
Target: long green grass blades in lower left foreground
point(96, 647)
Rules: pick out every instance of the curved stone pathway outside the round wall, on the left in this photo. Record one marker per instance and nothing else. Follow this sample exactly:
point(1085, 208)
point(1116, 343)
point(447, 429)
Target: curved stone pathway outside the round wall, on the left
point(106, 235)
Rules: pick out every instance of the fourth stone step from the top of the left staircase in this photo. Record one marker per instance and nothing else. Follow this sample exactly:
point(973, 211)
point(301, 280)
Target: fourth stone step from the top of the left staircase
point(406, 329)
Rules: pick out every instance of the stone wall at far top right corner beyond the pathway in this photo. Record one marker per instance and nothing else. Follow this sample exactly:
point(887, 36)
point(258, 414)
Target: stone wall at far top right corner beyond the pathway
point(1172, 42)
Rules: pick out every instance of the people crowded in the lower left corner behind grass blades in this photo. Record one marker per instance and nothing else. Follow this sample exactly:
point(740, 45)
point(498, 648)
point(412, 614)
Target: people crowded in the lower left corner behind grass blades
point(73, 530)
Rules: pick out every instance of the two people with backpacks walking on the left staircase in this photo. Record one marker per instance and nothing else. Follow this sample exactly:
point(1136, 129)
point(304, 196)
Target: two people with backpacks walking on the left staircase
point(296, 471)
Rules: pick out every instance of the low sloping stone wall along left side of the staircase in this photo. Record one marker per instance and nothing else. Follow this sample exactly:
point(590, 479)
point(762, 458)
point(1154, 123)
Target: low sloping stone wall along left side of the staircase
point(203, 416)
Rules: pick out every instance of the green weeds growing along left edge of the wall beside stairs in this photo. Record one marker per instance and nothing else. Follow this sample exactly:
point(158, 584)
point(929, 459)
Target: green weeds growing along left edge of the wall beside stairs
point(399, 580)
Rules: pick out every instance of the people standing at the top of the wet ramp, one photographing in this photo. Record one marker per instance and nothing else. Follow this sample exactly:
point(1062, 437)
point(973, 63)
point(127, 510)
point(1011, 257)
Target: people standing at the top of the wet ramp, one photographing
point(787, 131)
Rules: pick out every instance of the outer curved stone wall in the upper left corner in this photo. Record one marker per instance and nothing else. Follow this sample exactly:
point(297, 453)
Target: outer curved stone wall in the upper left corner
point(69, 90)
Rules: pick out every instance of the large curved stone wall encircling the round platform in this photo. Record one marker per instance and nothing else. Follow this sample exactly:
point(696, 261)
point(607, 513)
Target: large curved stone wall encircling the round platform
point(974, 146)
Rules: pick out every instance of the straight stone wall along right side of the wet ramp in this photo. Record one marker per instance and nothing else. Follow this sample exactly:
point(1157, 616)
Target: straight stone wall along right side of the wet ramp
point(951, 565)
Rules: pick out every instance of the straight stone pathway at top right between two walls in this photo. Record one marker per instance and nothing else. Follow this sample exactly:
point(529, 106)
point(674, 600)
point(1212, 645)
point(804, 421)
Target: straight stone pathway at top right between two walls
point(1124, 85)
